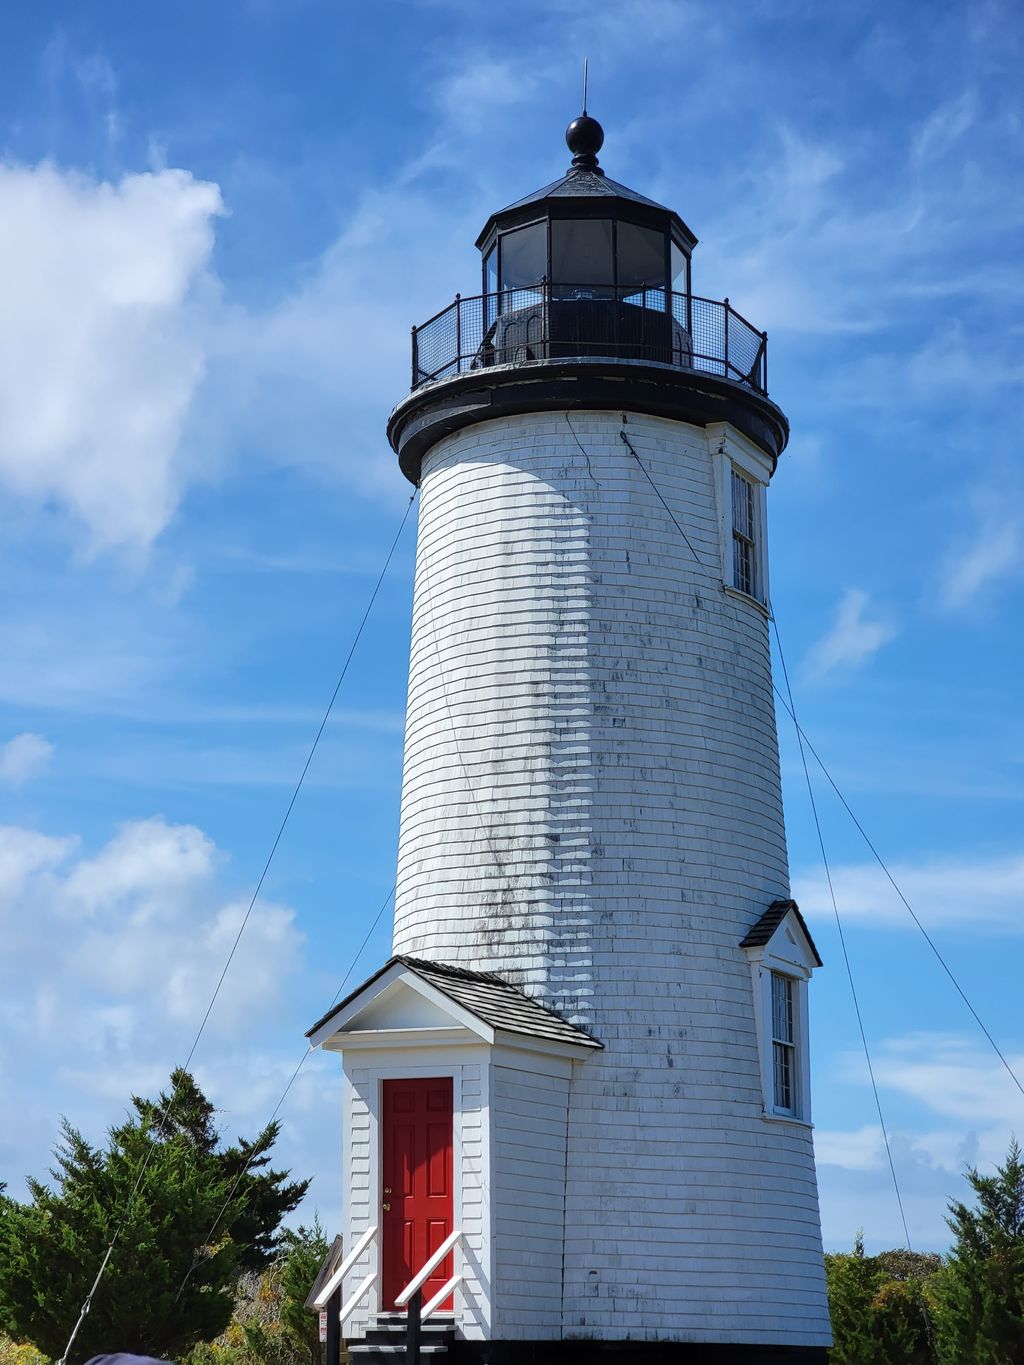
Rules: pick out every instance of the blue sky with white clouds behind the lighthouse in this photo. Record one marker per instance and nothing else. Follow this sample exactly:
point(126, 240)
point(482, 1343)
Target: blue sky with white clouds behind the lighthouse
point(218, 225)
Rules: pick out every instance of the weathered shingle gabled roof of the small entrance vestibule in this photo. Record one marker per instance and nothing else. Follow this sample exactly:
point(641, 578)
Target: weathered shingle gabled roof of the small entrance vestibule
point(485, 997)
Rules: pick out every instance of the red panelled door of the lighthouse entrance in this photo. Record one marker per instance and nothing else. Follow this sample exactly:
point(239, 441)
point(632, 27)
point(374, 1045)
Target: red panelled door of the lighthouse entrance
point(417, 1207)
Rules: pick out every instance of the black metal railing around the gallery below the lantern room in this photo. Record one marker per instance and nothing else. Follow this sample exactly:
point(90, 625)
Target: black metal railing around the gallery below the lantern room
point(570, 321)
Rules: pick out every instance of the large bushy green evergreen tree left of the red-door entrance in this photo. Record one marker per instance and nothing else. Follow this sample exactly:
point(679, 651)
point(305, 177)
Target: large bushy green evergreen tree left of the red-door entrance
point(165, 1289)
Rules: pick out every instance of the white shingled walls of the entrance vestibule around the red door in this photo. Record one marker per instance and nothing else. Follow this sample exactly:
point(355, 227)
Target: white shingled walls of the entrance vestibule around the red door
point(509, 1160)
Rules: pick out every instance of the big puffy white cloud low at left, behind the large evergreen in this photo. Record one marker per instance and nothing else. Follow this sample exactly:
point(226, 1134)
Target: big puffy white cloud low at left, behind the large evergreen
point(110, 960)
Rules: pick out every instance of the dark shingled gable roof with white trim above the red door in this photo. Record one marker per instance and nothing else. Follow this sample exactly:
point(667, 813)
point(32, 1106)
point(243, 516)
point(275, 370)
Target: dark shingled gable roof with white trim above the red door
point(489, 997)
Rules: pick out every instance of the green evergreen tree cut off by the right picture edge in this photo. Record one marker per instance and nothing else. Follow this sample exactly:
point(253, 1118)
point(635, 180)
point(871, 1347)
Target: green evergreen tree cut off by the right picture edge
point(981, 1293)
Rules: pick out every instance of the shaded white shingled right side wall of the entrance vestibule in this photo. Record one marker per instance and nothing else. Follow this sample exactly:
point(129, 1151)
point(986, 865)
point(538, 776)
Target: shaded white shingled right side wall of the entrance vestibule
point(529, 1115)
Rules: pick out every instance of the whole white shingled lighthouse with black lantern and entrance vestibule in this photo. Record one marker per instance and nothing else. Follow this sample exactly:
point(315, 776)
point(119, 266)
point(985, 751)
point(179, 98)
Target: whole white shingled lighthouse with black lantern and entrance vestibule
point(577, 1109)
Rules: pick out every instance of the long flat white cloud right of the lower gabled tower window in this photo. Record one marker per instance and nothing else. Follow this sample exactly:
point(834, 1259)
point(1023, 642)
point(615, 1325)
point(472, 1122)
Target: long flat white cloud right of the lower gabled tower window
point(956, 893)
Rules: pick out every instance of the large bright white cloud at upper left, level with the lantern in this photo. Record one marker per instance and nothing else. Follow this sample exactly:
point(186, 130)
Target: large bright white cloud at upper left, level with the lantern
point(100, 354)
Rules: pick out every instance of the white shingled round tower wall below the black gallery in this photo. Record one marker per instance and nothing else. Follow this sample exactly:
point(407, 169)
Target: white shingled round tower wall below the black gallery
point(592, 807)
